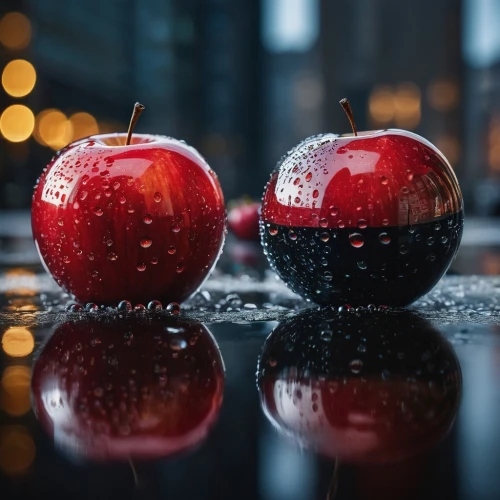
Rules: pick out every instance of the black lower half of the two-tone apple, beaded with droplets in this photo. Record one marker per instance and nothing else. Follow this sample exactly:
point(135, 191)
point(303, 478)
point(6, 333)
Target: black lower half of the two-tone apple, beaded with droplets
point(392, 266)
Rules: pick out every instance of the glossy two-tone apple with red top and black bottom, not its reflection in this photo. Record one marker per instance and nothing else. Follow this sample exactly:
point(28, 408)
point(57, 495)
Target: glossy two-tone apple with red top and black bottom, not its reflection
point(374, 217)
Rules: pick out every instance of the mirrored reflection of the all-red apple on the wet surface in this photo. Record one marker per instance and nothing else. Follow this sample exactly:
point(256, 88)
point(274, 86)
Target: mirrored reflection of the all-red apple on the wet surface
point(132, 389)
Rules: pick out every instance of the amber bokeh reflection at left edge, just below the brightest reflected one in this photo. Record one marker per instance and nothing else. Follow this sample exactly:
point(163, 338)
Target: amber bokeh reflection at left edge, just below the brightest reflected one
point(15, 393)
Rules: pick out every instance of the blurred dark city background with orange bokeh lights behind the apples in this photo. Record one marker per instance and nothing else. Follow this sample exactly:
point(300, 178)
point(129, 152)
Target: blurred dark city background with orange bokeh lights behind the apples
point(245, 80)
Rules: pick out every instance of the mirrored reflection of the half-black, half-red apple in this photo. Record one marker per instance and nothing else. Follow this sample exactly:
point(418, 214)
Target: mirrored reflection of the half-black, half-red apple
point(371, 388)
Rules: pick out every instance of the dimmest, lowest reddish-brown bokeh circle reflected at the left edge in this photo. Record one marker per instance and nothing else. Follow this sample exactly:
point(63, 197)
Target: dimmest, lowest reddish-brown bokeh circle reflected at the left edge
point(17, 449)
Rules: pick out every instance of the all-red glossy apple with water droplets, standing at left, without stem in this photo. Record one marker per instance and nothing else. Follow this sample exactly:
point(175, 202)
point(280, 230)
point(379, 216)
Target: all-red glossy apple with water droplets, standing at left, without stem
point(139, 222)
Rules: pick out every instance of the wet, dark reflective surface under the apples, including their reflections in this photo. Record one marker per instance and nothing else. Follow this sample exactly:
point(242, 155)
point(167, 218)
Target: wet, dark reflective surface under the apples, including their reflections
point(392, 404)
